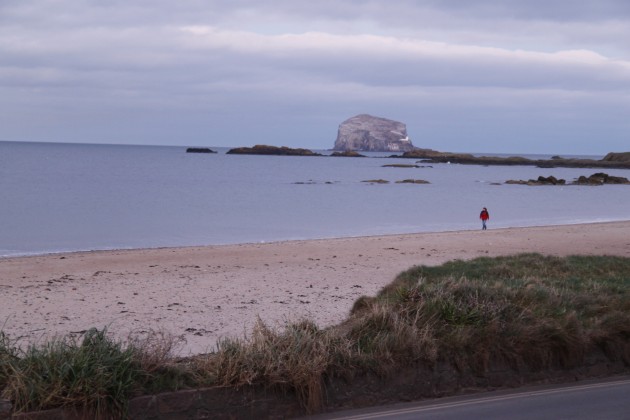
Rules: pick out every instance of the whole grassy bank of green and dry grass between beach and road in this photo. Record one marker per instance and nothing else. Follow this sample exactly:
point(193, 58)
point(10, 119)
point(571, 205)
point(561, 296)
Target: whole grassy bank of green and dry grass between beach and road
point(528, 312)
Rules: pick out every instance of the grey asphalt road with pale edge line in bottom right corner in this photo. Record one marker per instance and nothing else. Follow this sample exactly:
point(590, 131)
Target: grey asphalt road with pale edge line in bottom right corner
point(608, 399)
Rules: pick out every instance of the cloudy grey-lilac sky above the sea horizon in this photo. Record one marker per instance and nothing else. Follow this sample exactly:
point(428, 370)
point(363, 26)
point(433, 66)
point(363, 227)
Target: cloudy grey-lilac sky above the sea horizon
point(496, 76)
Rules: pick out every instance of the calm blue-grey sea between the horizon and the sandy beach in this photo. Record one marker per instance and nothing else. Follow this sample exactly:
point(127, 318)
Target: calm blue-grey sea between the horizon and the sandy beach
point(71, 197)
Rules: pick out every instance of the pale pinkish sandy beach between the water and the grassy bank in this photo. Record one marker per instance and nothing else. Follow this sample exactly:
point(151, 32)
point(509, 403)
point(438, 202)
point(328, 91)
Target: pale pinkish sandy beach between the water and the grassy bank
point(202, 294)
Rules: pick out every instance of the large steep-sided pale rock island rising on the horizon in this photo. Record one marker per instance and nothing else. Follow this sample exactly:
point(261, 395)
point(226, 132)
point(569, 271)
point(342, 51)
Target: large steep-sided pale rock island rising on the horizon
point(372, 134)
